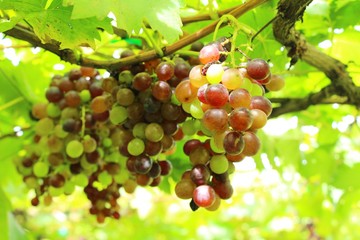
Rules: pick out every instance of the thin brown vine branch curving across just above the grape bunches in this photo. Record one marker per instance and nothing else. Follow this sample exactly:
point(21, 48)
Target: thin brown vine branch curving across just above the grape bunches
point(71, 56)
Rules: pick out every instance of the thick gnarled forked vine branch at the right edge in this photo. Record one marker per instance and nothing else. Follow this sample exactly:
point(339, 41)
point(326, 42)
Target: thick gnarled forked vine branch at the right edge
point(341, 90)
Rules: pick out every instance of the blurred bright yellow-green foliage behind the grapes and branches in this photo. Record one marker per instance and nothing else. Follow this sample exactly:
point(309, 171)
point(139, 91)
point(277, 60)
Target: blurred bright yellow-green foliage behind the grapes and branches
point(302, 185)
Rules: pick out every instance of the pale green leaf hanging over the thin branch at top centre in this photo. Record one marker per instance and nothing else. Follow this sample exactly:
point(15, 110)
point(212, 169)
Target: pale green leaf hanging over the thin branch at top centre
point(162, 16)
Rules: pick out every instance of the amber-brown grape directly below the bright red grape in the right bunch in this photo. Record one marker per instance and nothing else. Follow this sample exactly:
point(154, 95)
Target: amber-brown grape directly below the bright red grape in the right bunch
point(215, 120)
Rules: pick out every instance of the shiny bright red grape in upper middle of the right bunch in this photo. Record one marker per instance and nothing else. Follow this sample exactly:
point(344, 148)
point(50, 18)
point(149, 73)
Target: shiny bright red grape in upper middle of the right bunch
point(216, 95)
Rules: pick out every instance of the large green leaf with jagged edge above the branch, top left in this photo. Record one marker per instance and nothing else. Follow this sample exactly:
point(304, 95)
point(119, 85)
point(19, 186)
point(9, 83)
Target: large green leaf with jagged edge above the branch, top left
point(55, 23)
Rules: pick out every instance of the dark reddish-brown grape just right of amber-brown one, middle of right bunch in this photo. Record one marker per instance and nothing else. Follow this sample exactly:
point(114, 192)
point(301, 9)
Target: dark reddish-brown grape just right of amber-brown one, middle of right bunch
point(240, 119)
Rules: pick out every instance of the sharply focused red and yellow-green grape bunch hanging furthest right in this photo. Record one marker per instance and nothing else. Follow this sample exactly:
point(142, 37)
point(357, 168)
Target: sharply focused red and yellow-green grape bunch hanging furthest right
point(228, 107)
